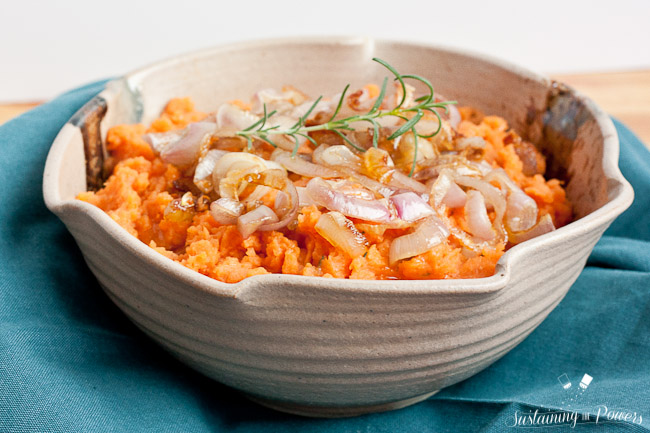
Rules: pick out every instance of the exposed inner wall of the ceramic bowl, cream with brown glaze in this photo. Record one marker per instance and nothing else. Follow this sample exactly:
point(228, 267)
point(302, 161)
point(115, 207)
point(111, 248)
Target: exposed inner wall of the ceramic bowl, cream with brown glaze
point(549, 115)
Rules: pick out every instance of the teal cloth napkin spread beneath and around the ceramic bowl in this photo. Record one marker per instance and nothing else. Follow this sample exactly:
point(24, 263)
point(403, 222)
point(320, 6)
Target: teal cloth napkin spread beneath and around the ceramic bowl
point(71, 362)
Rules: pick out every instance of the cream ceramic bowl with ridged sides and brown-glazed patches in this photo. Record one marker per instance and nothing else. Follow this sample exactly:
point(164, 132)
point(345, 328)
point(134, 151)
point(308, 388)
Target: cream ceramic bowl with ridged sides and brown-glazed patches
point(328, 347)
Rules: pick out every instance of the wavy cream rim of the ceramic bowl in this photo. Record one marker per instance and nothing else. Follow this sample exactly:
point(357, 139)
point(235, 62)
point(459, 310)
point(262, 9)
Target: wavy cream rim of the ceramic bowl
point(620, 195)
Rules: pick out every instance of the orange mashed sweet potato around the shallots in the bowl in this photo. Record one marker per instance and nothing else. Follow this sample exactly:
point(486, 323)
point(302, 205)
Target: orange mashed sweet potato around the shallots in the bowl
point(142, 187)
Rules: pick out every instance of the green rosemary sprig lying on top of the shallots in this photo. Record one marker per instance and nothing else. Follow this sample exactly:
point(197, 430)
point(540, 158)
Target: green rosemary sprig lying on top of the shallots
point(410, 115)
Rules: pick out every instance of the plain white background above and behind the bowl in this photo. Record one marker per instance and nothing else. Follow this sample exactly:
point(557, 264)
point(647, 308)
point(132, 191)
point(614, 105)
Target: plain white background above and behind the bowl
point(47, 47)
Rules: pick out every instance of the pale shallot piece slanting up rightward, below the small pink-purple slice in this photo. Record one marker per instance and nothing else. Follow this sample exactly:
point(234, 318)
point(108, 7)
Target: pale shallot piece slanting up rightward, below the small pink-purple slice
point(427, 235)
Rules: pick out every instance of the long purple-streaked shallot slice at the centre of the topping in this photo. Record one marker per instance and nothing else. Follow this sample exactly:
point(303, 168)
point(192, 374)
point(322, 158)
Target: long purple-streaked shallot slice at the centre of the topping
point(368, 210)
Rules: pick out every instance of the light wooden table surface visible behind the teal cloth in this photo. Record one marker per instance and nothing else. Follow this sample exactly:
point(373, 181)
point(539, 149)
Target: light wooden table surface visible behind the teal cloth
point(625, 95)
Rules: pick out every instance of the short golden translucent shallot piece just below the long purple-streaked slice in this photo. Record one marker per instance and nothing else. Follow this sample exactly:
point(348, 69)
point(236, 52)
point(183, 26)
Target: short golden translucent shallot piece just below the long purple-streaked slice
point(341, 233)
